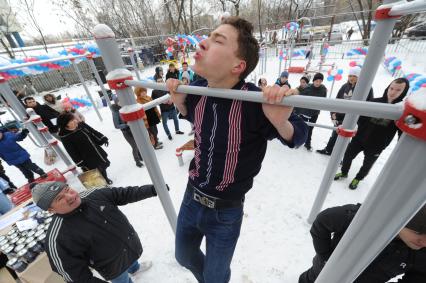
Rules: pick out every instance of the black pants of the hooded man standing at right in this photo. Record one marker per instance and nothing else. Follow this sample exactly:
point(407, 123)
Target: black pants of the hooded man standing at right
point(352, 151)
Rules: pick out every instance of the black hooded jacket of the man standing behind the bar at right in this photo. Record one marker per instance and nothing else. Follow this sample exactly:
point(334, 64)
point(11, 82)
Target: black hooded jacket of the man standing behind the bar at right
point(376, 134)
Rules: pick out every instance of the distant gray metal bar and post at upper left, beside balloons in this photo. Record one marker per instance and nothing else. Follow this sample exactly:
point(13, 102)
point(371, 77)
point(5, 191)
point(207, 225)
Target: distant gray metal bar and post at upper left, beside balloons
point(71, 58)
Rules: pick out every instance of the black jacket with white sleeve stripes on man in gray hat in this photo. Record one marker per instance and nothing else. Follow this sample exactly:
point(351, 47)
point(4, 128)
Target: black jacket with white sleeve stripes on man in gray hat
point(97, 235)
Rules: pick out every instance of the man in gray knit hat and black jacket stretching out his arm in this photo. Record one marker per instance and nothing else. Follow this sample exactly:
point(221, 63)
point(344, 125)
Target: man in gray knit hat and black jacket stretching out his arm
point(88, 230)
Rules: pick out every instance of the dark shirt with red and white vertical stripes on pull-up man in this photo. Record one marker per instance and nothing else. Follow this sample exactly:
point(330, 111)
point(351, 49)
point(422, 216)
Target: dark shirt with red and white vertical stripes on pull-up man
point(230, 142)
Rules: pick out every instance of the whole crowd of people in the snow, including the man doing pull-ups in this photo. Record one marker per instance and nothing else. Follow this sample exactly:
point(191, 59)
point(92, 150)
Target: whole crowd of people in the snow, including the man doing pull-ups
point(230, 142)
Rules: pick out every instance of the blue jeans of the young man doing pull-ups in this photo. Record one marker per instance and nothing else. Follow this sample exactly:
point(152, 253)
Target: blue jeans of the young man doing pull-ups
point(221, 227)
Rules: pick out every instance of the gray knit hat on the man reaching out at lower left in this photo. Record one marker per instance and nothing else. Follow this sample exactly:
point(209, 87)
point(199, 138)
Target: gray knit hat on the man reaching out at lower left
point(45, 193)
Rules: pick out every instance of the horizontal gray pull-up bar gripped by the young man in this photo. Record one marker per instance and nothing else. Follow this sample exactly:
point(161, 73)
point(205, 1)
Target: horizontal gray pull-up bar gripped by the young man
point(371, 109)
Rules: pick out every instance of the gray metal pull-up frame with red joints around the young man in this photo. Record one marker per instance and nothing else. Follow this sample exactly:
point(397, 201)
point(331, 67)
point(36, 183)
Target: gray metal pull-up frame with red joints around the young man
point(401, 185)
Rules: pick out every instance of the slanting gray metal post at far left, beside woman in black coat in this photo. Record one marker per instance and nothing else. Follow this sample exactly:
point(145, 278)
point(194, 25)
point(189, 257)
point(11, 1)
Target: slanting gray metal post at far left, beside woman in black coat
point(44, 140)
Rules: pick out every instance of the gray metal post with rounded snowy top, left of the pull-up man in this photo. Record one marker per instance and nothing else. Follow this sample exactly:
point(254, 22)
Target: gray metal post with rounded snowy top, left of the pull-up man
point(105, 39)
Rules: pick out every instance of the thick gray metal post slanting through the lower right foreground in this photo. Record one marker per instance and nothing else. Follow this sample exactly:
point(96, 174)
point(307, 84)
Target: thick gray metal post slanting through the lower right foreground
point(401, 185)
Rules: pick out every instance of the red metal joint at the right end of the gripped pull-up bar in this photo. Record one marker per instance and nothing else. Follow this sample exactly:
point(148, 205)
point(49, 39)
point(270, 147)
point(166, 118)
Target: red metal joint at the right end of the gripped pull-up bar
point(413, 120)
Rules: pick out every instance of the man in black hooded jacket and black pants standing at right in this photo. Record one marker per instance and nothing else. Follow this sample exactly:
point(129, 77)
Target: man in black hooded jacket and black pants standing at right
point(373, 134)
